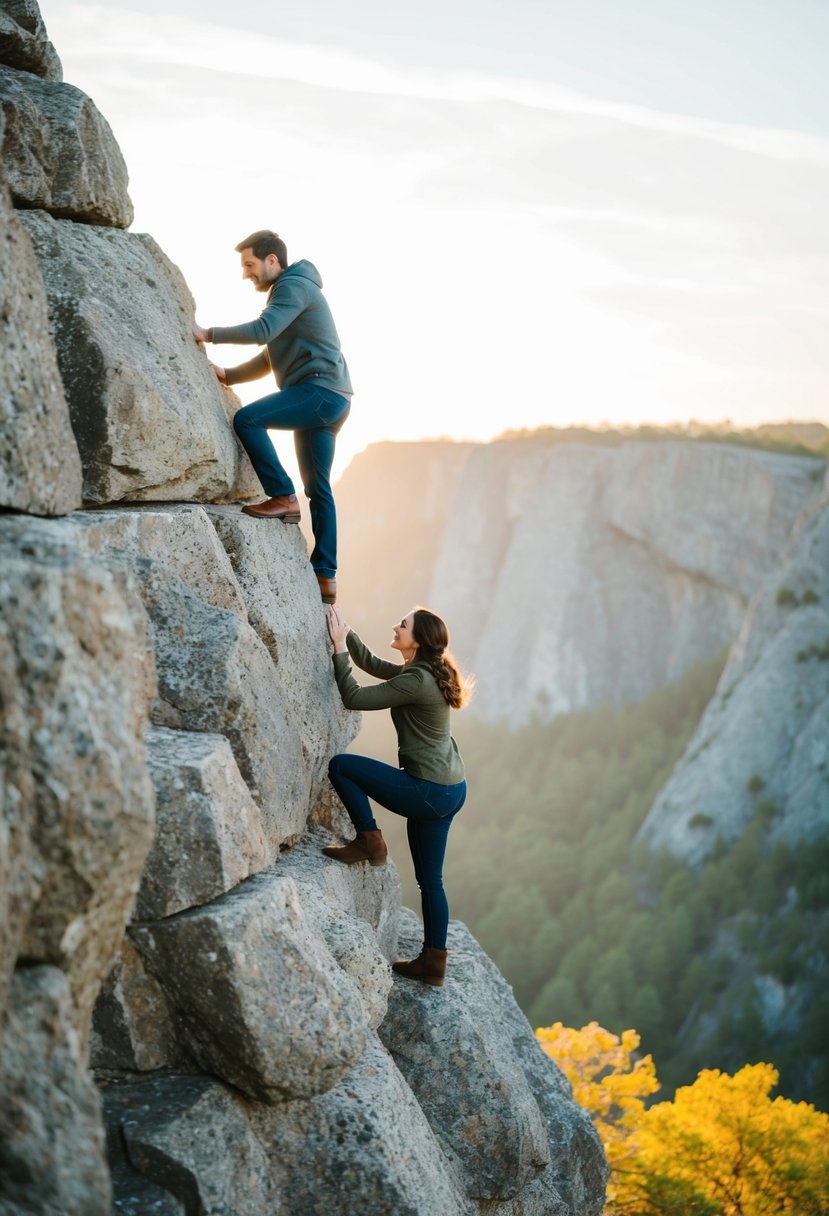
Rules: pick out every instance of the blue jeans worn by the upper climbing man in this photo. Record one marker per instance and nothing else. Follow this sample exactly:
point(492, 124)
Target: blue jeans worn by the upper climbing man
point(315, 415)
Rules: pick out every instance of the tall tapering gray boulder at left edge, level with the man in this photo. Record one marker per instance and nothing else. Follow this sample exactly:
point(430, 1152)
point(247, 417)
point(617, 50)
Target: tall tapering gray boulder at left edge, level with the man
point(40, 461)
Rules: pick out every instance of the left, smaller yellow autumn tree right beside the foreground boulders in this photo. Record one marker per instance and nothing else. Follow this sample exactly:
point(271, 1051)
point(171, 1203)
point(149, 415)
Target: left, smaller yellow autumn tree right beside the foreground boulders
point(608, 1083)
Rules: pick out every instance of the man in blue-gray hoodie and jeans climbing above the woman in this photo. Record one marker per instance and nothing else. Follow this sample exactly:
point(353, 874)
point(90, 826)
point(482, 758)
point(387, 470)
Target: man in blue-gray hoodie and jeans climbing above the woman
point(302, 350)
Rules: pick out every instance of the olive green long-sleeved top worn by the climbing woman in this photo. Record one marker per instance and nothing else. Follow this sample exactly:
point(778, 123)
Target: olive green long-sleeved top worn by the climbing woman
point(421, 716)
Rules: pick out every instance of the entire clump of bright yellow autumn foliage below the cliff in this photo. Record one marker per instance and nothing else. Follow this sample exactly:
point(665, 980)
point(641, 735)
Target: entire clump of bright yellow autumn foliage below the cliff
point(724, 1147)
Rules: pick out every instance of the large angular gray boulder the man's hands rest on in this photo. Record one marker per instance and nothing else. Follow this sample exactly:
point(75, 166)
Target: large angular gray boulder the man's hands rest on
point(150, 418)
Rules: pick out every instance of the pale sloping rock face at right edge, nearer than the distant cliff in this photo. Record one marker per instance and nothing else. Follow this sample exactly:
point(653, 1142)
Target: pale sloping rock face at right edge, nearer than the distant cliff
point(766, 733)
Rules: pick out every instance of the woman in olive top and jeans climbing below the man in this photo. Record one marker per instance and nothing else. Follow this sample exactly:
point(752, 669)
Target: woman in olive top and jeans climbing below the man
point(428, 789)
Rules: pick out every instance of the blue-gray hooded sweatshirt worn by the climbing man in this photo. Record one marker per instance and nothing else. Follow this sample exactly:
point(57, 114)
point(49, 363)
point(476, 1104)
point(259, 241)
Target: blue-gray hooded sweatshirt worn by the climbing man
point(298, 334)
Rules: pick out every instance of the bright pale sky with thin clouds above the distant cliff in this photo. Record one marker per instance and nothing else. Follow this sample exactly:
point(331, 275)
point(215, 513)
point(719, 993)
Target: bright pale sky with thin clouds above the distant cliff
point(526, 213)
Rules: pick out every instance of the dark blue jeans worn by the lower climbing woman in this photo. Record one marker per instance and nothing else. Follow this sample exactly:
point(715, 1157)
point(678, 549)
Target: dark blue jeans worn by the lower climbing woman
point(430, 810)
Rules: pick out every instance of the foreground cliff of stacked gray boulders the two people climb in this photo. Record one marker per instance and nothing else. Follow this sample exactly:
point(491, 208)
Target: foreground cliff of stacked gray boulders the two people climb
point(198, 1012)
